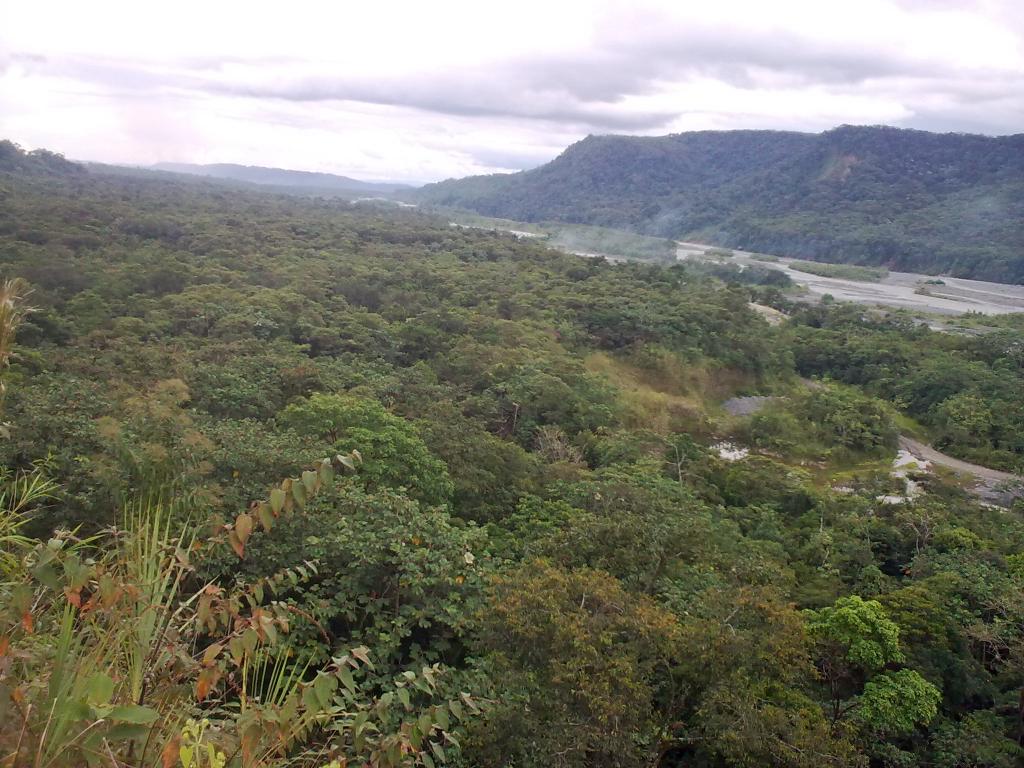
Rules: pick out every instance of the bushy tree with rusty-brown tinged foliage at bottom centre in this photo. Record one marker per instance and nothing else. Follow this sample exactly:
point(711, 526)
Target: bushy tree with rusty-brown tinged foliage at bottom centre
point(578, 661)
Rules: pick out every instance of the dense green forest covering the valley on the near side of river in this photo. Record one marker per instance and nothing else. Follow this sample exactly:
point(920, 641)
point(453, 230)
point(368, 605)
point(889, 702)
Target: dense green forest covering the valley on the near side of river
point(291, 482)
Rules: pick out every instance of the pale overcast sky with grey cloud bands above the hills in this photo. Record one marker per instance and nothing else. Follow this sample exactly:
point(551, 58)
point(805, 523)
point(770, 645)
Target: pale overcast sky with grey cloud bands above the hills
point(420, 92)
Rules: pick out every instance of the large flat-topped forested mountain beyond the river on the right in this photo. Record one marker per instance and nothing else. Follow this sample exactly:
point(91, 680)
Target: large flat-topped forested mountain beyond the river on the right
point(906, 199)
